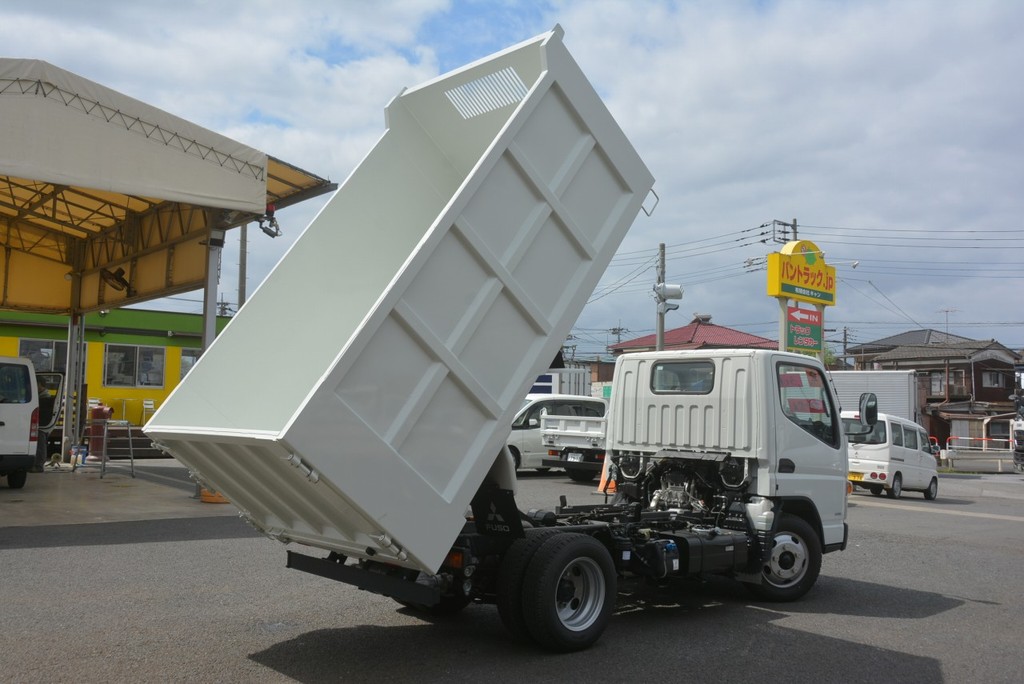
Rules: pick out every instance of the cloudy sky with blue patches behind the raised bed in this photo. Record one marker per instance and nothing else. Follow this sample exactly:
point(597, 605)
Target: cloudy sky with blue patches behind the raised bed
point(891, 131)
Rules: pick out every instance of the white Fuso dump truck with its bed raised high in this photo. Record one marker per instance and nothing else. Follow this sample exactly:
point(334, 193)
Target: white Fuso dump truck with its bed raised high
point(445, 276)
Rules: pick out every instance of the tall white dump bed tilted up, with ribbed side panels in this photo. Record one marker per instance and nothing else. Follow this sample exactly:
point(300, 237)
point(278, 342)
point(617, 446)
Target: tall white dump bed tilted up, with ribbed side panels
point(361, 397)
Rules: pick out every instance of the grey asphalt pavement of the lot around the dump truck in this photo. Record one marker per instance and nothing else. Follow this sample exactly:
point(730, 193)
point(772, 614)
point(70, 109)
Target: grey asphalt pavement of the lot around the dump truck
point(136, 580)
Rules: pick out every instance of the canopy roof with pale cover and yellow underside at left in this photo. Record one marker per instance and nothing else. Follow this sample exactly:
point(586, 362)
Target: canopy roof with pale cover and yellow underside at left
point(107, 201)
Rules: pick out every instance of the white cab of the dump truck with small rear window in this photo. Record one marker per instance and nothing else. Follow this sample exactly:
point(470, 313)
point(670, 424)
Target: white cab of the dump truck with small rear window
point(771, 415)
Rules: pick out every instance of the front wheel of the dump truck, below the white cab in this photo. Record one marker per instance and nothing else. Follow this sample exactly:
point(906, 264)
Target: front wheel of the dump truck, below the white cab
point(794, 563)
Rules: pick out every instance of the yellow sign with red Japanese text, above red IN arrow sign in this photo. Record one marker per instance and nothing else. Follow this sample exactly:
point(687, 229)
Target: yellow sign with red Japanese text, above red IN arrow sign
point(799, 272)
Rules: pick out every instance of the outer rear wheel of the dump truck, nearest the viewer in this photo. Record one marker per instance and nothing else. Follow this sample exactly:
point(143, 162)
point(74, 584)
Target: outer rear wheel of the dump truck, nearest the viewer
point(571, 594)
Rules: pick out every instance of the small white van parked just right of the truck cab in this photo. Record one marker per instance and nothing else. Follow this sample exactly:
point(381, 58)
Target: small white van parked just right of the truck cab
point(894, 456)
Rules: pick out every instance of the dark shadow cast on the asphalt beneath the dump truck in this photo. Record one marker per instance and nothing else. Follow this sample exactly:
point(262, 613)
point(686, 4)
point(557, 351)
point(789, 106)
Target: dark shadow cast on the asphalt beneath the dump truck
point(712, 631)
